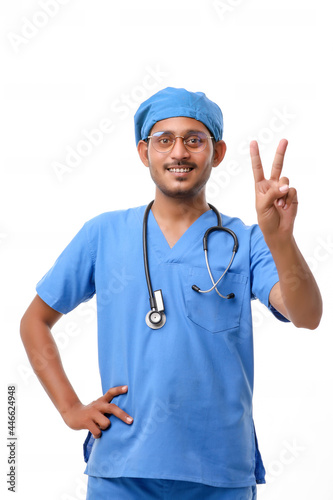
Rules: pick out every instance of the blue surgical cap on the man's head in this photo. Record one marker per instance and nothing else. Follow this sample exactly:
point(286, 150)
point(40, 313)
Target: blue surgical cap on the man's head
point(171, 102)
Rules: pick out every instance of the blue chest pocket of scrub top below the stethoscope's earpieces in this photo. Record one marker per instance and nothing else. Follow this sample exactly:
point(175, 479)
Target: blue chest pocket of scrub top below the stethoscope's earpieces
point(209, 310)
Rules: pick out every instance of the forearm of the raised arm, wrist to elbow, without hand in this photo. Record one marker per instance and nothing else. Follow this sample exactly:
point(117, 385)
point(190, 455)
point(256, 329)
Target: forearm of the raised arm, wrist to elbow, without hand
point(299, 291)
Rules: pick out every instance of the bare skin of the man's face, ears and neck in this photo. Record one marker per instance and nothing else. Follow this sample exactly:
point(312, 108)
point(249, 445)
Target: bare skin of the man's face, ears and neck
point(180, 200)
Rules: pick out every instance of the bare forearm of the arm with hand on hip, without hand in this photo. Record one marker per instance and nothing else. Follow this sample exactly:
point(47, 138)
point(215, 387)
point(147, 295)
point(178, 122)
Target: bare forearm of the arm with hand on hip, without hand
point(46, 363)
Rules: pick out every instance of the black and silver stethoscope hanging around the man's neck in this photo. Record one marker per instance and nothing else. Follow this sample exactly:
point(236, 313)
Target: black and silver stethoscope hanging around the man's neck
point(156, 318)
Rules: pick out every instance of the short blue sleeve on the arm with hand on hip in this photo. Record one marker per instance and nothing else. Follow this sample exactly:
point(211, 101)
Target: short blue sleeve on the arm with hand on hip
point(71, 279)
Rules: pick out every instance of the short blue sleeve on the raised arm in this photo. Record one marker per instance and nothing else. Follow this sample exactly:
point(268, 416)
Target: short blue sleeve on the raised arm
point(264, 274)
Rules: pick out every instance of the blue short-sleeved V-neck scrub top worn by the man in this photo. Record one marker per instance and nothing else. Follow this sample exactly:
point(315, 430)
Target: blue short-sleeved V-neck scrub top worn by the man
point(190, 383)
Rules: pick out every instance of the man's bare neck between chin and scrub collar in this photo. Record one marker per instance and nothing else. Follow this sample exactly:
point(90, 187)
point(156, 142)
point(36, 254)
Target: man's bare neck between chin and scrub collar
point(176, 209)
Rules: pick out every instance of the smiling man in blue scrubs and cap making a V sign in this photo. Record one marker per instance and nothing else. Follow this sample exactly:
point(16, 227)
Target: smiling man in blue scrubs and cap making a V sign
point(175, 420)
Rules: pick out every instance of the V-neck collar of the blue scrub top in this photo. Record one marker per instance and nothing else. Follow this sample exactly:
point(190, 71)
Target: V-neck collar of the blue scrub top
point(194, 233)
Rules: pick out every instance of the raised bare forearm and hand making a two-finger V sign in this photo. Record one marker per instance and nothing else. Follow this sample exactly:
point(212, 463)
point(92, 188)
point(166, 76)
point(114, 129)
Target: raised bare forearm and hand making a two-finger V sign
point(296, 295)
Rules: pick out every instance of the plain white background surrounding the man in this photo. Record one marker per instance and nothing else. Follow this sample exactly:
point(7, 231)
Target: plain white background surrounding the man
point(68, 67)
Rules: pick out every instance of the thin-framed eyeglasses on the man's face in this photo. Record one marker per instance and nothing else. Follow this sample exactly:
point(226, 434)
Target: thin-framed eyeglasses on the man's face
point(195, 142)
